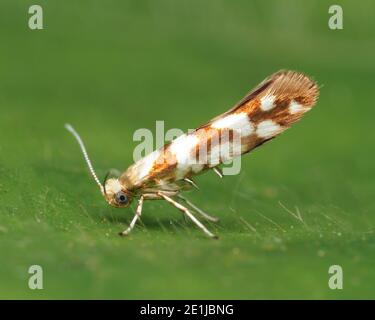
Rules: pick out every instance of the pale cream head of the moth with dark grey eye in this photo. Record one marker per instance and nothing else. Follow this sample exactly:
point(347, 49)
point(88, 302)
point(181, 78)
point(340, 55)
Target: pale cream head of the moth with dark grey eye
point(115, 194)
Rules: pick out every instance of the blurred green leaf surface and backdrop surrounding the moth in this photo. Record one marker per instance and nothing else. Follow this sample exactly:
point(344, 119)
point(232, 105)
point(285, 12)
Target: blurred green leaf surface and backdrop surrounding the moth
point(112, 67)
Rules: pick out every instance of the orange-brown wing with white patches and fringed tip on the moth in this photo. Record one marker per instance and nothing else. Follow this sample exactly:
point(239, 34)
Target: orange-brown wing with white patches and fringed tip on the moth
point(266, 111)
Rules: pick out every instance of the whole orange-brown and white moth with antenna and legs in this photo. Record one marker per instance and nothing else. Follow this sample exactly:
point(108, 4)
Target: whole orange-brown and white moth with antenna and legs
point(265, 112)
